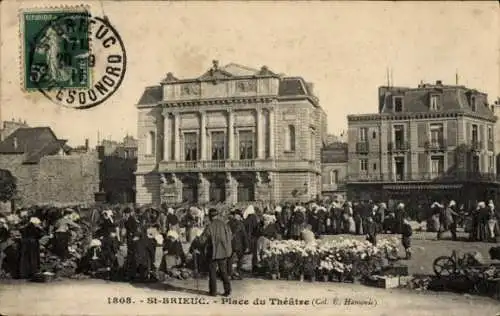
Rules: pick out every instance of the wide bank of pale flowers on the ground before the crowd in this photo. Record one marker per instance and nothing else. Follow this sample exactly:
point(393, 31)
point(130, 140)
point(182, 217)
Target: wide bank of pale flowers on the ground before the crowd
point(343, 258)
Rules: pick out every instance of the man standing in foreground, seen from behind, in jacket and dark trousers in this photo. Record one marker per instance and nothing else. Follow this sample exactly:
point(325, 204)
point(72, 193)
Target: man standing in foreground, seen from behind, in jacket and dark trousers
point(218, 238)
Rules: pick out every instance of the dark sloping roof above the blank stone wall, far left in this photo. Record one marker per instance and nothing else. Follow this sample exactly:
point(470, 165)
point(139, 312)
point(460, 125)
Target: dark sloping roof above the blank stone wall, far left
point(34, 142)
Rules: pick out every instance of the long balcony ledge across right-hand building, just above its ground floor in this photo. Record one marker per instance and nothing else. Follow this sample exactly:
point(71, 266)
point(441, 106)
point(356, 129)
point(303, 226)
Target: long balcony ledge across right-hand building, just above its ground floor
point(458, 176)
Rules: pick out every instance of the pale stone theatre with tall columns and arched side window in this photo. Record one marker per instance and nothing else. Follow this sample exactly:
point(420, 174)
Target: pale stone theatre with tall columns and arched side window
point(234, 134)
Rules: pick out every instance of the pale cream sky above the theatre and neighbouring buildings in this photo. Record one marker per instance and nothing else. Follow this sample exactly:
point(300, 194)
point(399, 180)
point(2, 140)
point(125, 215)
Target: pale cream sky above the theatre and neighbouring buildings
point(344, 48)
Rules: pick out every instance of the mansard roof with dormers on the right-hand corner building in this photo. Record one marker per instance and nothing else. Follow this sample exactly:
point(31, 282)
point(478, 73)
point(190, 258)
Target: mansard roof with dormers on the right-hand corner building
point(417, 100)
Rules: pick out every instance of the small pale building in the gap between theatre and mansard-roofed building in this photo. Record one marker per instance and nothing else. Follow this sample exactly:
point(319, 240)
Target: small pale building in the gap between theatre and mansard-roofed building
point(334, 158)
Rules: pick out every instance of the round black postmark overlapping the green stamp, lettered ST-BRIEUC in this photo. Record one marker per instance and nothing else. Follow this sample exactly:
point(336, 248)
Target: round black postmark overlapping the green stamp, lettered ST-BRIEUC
point(77, 60)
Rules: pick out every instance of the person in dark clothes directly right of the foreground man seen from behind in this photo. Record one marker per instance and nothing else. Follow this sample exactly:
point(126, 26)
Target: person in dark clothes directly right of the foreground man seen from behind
point(240, 243)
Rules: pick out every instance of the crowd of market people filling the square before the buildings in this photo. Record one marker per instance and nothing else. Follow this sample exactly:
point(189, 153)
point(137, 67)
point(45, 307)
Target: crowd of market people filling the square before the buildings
point(160, 240)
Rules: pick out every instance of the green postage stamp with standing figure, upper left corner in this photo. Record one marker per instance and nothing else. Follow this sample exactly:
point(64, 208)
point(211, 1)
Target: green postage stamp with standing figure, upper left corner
point(55, 48)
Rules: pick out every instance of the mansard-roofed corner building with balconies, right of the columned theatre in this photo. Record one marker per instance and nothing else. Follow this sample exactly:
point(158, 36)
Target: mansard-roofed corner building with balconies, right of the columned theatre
point(427, 143)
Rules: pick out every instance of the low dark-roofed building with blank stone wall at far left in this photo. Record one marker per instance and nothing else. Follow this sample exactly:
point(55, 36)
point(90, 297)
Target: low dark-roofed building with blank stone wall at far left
point(46, 169)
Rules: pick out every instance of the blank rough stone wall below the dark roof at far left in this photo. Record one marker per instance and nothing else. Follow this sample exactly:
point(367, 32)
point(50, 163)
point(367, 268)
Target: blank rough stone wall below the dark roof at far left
point(56, 179)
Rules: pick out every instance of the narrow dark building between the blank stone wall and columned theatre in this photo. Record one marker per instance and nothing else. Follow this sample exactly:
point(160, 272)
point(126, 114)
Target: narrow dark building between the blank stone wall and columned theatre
point(118, 162)
